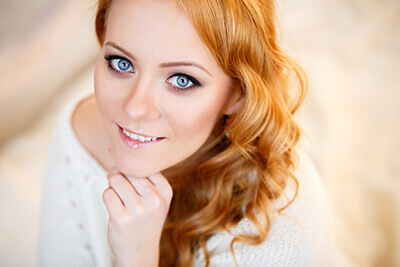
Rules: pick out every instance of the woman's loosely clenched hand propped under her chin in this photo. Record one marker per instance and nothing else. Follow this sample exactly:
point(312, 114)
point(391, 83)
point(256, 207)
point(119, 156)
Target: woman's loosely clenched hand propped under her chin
point(138, 208)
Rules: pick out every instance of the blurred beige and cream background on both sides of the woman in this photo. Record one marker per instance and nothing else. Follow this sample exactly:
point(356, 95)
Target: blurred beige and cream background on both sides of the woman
point(350, 50)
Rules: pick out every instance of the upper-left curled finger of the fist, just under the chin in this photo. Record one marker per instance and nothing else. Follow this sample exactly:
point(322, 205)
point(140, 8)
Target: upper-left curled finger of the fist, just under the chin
point(124, 189)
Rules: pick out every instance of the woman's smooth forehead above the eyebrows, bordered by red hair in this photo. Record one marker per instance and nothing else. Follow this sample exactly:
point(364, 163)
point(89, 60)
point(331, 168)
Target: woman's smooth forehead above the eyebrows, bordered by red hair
point(155, 29)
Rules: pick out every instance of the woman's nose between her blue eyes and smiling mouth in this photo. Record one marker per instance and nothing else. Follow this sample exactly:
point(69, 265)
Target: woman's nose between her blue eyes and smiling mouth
point(141, 103)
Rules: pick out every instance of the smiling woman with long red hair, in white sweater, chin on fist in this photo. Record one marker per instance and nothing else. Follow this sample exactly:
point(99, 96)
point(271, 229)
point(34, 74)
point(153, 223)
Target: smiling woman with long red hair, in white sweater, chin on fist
point(192, 124)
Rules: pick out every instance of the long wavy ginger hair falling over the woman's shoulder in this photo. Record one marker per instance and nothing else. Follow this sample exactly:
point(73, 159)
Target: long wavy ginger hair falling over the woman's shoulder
point(251, 155)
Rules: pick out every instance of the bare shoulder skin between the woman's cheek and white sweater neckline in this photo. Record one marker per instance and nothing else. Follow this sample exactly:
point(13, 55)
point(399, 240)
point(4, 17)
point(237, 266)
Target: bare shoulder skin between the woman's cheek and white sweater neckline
point(87, 126)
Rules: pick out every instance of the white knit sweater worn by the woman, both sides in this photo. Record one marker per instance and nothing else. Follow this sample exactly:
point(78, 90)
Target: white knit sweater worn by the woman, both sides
point(73, 228)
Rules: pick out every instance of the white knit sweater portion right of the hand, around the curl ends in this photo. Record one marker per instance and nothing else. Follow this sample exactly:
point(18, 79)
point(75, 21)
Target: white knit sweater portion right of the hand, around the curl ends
point(301, 235)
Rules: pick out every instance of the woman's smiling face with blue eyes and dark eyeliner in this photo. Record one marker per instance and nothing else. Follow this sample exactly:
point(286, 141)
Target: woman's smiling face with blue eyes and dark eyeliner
point(157, 80)
